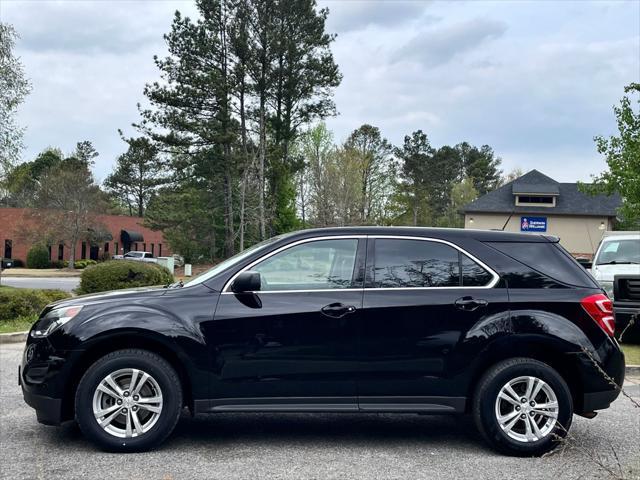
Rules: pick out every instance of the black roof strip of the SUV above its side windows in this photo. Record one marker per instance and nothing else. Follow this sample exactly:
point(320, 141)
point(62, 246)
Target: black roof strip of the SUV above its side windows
point(440, 233)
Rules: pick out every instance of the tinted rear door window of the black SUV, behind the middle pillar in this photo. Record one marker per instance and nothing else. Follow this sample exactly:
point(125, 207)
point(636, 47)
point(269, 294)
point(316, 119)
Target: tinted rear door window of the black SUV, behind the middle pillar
point(415, 263)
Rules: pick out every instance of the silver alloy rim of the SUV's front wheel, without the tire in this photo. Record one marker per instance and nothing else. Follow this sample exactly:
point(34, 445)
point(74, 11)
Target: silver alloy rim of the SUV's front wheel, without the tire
point(127, 403)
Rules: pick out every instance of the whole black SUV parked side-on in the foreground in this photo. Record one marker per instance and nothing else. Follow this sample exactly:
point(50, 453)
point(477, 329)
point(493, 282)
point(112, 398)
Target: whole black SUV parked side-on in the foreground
point(507, 327)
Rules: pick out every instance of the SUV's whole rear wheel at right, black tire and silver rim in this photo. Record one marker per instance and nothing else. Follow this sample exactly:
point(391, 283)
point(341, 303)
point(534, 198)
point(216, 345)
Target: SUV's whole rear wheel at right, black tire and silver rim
point(522, 407)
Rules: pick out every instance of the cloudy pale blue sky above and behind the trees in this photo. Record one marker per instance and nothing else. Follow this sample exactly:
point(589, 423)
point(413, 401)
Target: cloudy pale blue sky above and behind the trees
point(535, 80)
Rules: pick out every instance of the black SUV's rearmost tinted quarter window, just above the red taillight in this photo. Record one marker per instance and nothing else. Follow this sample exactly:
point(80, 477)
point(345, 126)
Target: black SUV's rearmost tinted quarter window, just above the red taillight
point(549, 259)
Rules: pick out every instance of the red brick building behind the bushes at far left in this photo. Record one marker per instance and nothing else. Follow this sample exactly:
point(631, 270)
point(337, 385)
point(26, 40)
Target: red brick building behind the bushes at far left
point(124, 233)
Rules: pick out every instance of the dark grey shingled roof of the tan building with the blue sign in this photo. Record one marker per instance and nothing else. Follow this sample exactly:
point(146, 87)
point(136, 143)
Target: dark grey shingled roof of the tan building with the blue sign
point(569, 200)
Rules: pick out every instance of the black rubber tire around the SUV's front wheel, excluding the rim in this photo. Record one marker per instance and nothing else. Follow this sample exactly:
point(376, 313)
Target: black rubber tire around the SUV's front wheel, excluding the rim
point(164, 376)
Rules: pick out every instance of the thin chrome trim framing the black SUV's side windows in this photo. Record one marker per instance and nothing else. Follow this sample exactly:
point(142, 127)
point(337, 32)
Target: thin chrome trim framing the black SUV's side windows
point(496, 278)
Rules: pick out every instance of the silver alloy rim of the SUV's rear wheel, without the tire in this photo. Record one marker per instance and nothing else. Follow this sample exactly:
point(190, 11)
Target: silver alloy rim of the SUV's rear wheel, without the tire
point(527, 409)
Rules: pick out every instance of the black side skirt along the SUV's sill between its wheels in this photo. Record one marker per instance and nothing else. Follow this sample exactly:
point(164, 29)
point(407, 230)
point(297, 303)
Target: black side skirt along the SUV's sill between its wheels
point(435, 405)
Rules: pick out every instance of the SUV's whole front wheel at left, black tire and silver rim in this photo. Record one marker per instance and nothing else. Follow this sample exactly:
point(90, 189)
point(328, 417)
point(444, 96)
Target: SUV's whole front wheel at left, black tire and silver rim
point(128, 400)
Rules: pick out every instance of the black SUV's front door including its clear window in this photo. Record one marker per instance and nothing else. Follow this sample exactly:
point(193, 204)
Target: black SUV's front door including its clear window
point(297, 336)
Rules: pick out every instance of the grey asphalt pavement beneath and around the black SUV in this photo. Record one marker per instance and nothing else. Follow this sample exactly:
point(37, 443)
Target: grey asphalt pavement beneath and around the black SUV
point(280, 446)
